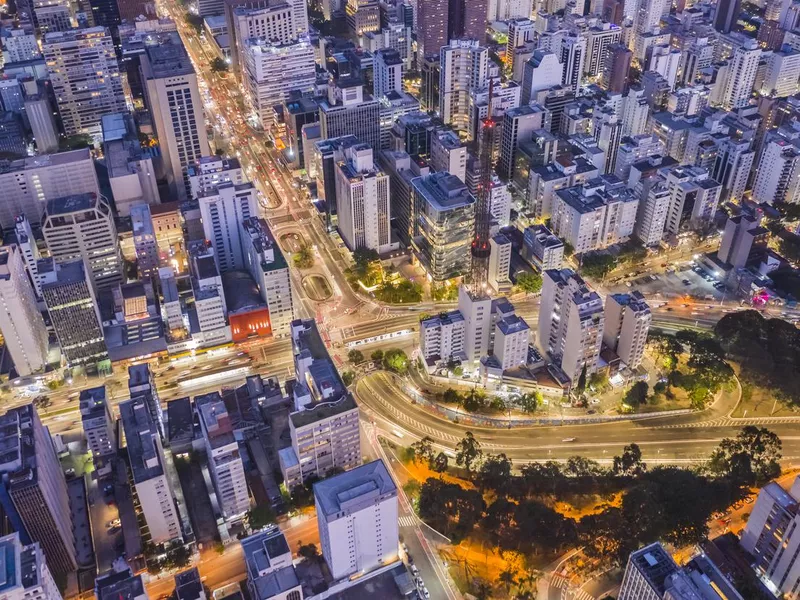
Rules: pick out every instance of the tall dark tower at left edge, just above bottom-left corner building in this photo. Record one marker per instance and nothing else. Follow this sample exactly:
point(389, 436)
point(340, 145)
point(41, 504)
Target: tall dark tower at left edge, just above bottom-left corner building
point(33, 490)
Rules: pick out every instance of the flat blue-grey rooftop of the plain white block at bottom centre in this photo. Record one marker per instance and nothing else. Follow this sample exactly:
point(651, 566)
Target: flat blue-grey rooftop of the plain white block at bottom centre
point(354, 489)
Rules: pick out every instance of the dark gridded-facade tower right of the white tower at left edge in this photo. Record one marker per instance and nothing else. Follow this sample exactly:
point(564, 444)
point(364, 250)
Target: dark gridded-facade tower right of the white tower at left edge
point(70, 299)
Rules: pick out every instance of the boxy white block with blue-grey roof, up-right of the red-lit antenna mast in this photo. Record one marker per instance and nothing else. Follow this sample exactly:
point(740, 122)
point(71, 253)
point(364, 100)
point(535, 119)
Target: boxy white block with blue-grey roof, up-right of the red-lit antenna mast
point(600, 213)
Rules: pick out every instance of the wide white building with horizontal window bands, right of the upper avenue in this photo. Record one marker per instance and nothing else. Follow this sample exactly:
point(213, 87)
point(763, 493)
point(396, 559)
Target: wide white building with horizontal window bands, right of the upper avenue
point(273, 70)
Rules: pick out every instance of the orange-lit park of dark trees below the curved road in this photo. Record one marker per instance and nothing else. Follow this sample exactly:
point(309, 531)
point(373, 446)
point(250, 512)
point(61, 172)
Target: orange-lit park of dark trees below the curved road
point(528, 516)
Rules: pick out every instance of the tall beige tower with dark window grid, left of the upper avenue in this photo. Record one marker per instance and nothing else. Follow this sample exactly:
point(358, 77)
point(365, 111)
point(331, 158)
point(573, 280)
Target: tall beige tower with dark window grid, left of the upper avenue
point(175, 104)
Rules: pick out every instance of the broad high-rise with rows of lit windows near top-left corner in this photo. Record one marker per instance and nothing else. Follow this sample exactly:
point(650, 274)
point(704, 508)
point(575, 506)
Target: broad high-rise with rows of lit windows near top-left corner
point(84, 74)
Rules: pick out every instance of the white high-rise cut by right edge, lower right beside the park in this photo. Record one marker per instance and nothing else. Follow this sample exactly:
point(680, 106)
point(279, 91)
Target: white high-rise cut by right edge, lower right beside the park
point(772, 537)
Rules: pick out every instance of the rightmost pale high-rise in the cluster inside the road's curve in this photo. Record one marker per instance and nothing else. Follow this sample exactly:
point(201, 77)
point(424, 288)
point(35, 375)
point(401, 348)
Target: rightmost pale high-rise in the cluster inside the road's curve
point(627, 321)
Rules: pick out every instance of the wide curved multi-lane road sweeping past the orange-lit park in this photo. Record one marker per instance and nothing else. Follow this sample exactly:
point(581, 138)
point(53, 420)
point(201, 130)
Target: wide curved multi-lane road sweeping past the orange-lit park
point(673, 439)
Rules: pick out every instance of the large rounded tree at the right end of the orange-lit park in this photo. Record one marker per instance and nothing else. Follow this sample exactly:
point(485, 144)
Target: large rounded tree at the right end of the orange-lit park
point(753, 457)
